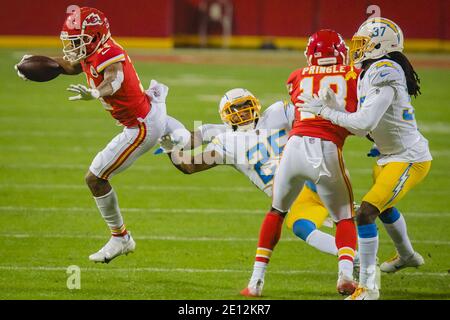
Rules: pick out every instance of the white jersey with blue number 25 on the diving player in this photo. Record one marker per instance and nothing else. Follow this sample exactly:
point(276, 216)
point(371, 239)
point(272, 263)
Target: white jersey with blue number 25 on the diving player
point(256, 153)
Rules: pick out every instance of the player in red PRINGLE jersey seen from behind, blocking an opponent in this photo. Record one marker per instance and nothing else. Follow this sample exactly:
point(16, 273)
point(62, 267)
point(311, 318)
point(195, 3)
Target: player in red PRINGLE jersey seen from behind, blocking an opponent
point(314, 152)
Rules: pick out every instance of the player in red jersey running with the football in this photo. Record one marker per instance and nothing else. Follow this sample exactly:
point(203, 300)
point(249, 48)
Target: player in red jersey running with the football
point(112, 79)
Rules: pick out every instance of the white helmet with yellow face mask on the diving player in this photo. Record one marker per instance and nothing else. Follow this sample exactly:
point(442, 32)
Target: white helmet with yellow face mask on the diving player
point(239, 109)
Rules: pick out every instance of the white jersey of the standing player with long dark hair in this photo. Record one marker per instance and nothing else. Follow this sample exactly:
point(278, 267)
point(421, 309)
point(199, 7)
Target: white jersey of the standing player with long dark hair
point(392, 125)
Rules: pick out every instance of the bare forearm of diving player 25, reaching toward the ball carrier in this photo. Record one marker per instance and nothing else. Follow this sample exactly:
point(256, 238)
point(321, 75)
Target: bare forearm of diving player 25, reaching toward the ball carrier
point(192, 164)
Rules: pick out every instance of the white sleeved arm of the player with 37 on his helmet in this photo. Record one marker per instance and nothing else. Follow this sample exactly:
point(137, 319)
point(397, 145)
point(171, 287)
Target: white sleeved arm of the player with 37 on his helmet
point(369, 114)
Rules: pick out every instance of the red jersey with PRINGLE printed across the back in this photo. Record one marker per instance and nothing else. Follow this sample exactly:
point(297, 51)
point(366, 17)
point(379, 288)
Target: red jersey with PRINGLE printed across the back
point(309, 80)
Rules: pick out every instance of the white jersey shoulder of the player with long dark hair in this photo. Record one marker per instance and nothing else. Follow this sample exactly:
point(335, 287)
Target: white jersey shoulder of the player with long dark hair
point(385, 73)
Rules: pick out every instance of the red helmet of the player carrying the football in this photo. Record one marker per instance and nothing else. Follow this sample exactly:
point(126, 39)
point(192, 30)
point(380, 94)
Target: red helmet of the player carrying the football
point(83, 32)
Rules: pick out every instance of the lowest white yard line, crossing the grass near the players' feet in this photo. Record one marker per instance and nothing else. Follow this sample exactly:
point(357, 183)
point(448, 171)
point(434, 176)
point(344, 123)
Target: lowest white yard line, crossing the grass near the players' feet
point(193, 270)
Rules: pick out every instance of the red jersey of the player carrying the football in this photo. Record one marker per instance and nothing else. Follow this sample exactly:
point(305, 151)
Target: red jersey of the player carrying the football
point(130, 102)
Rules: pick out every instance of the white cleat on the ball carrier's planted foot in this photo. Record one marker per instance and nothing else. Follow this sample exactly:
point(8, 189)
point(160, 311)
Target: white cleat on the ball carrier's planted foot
point(115, 247)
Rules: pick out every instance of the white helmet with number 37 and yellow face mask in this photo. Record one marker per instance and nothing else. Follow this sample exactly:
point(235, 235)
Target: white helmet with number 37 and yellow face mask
point(375, 38)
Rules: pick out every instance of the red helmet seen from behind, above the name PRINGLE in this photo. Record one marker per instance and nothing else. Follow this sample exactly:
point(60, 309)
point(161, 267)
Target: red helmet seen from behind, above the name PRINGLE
point(326, 47)
